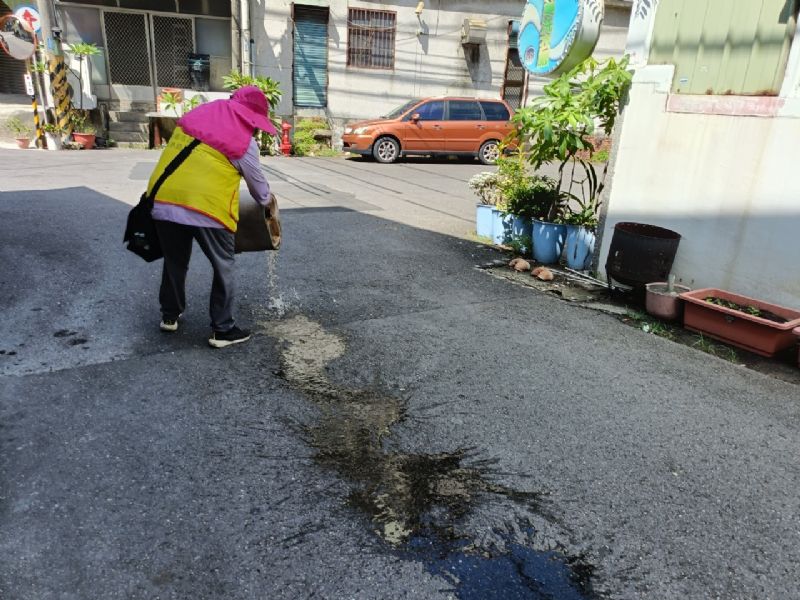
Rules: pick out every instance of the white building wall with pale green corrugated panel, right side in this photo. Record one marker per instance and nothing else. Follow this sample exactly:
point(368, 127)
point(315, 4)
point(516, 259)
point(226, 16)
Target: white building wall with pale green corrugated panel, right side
point(708, 142)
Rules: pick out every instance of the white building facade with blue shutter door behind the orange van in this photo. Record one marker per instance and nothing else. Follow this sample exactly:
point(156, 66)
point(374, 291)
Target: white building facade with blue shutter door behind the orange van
point(352, 59)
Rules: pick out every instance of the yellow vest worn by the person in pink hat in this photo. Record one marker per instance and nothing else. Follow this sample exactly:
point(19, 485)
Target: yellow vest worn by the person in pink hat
point(206, 182)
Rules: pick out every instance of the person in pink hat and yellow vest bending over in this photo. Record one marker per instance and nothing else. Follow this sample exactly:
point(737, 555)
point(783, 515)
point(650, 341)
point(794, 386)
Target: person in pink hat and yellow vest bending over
point(200, 201)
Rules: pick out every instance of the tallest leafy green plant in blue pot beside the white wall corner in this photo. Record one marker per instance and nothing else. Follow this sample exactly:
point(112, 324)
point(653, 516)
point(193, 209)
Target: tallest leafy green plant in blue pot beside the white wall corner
point(558, 128)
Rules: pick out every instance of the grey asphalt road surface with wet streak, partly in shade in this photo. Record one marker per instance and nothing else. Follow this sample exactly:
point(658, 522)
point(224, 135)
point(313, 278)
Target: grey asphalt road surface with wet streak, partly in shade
point(402, 425)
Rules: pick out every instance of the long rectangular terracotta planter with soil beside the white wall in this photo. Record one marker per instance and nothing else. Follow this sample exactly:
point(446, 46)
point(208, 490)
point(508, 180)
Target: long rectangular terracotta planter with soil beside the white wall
point(752, 333)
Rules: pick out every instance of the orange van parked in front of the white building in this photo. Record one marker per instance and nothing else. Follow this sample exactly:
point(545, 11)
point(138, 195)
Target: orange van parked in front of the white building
point(433, 126)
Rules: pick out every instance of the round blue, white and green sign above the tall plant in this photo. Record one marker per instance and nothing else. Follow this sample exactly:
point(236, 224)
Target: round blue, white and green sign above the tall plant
point(556, 35)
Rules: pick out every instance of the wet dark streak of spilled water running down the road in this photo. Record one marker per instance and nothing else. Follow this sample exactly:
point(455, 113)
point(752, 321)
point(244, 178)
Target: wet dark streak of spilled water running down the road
point(421, 504)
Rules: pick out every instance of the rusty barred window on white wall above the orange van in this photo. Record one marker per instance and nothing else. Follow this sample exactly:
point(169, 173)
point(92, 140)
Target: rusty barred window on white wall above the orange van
point(370, 38)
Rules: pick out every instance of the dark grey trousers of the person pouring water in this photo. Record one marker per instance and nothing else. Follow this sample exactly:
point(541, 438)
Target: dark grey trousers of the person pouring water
point(217, 245)
